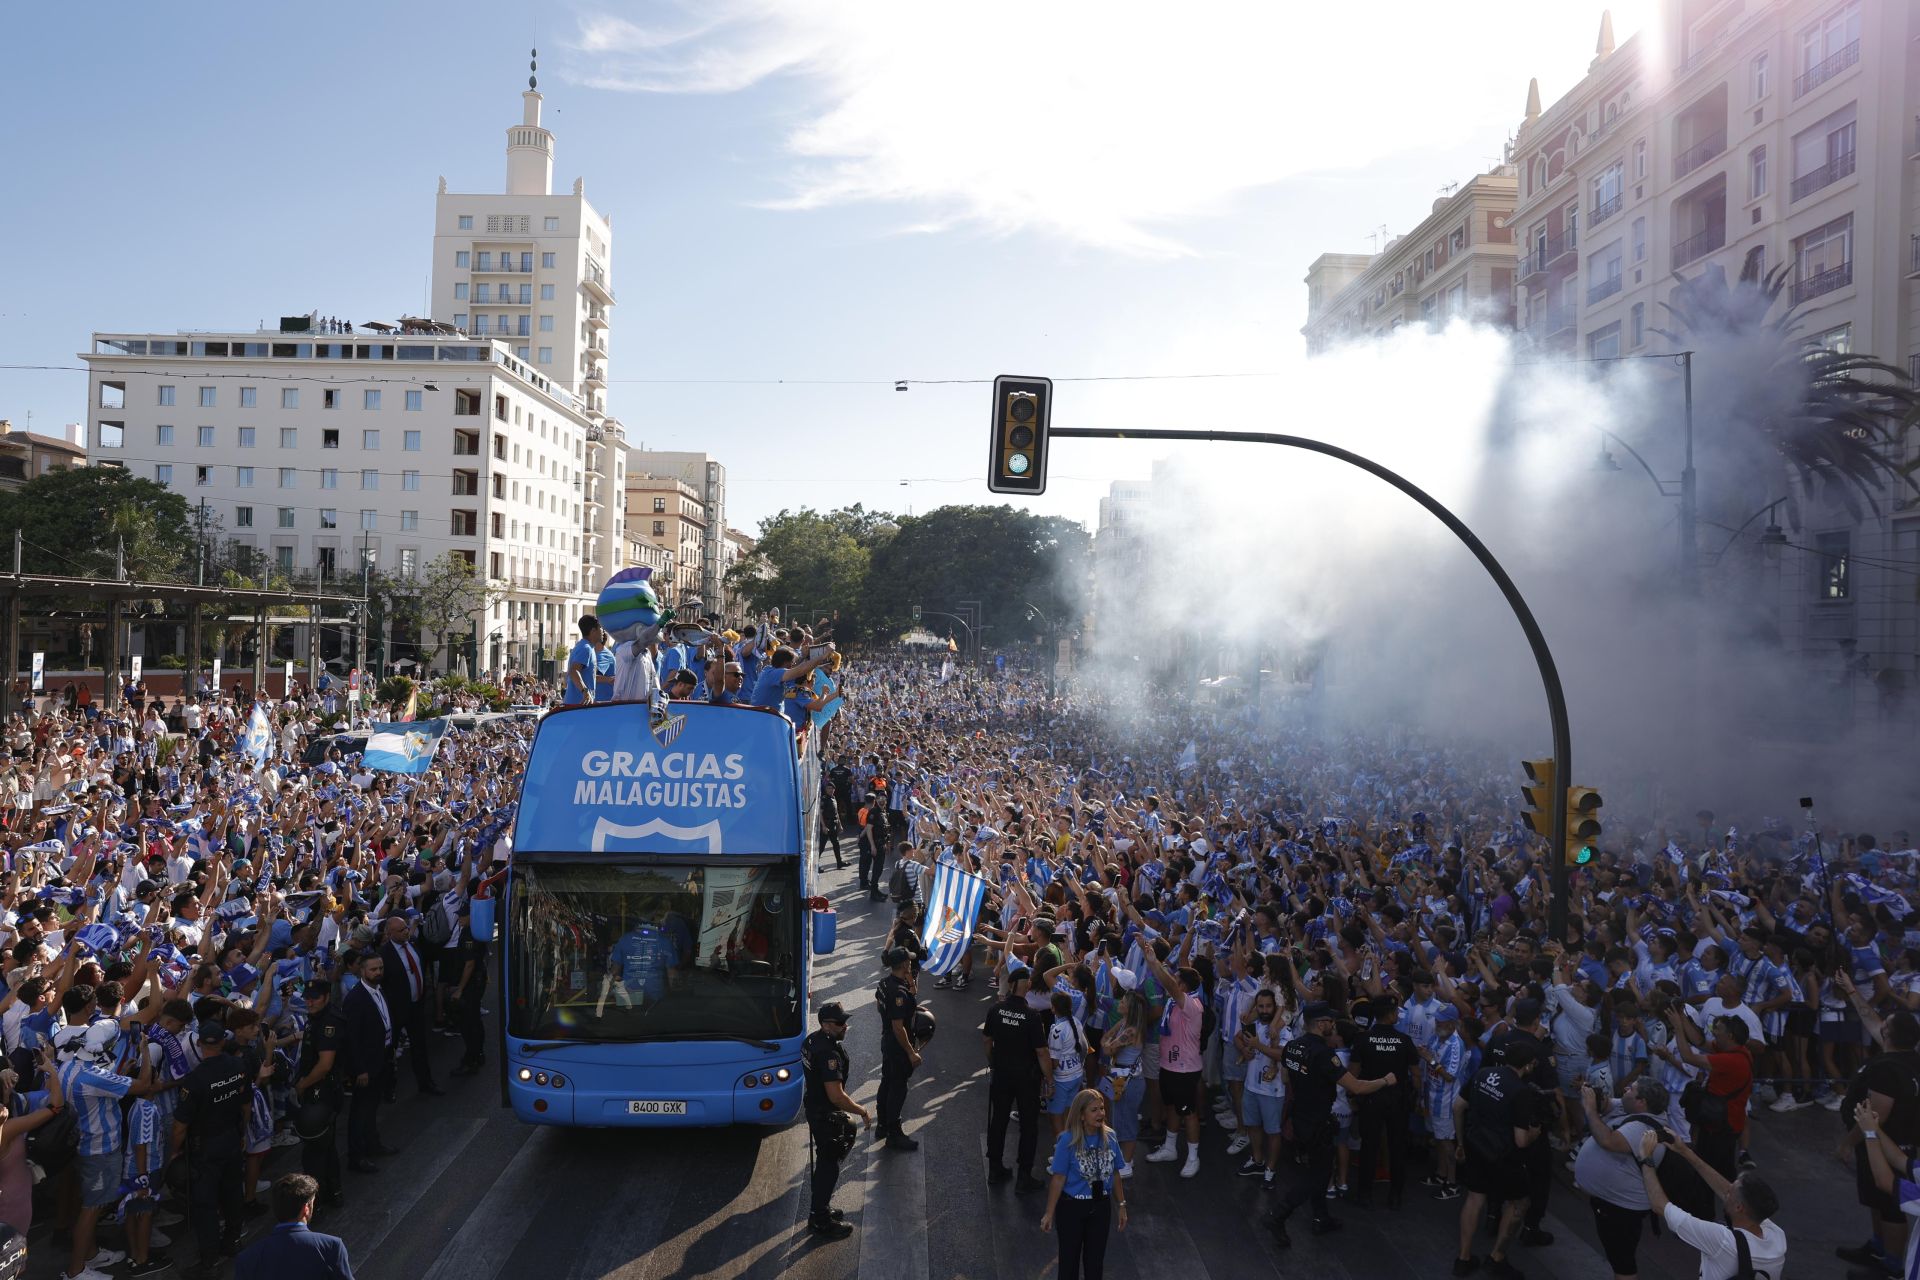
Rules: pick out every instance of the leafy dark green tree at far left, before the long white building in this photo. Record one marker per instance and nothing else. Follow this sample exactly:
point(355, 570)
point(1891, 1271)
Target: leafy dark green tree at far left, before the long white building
point(76, 519)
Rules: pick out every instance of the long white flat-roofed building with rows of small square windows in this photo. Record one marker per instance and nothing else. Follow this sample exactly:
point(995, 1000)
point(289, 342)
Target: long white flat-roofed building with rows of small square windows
point(320, 452)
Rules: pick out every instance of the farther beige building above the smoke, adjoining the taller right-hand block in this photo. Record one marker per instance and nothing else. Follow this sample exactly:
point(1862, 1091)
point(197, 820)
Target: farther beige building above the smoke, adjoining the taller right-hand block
point(1456, 264)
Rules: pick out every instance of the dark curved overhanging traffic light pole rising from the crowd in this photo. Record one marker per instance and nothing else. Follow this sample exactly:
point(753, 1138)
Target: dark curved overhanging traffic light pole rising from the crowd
point(1535, 638)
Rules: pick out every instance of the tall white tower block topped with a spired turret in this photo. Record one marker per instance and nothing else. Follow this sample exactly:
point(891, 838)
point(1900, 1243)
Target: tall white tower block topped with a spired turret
point(535, 272)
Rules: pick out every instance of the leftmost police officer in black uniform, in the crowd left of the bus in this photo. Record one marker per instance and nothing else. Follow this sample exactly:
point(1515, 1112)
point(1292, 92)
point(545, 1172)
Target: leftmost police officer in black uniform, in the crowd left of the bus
point(210, 1126)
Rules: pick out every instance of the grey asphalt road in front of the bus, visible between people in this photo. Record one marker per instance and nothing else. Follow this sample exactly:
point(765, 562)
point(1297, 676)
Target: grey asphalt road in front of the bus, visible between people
point(479, 1197)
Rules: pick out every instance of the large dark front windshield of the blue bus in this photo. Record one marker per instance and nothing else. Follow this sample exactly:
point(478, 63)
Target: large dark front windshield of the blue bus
point(656, 951)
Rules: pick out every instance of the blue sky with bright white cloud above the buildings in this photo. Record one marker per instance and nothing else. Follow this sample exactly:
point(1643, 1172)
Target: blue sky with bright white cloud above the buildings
point(809, 193)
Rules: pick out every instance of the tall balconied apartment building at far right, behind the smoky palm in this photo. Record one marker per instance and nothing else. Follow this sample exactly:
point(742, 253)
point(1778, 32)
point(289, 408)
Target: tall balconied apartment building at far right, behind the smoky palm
point(1767, 133)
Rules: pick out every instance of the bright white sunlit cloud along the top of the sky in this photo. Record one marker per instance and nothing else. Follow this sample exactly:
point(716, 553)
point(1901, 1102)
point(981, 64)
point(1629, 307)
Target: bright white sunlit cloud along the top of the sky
point(1109, 126)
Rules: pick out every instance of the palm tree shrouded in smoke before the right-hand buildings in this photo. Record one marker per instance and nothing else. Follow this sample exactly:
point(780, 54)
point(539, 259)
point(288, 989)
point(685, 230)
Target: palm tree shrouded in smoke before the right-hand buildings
point(1836, 419)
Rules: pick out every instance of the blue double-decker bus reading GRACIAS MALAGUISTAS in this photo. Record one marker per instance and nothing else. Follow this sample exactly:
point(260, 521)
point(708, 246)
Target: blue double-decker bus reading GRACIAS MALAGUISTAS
point(656, 926)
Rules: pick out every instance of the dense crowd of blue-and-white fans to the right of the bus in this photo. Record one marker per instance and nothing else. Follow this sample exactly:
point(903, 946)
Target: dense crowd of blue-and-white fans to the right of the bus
point(1337, 953)
